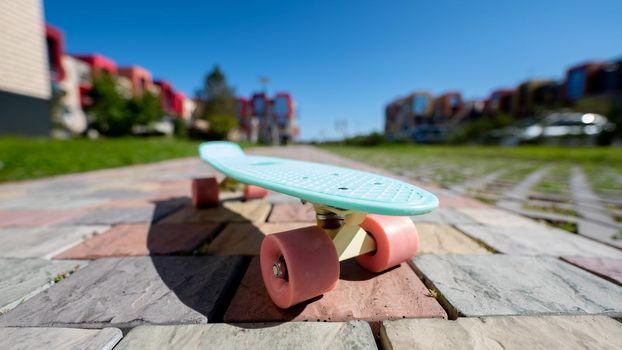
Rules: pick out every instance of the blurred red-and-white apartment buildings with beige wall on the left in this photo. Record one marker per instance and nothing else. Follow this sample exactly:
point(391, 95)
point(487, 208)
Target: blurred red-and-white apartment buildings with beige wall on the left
point(35, 68)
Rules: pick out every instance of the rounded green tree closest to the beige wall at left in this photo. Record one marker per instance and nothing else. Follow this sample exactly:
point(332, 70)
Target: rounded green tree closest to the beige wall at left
point(109, 108)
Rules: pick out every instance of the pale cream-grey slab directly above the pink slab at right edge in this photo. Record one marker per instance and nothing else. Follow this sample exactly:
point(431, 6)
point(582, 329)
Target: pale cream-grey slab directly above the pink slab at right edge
point(538, 240)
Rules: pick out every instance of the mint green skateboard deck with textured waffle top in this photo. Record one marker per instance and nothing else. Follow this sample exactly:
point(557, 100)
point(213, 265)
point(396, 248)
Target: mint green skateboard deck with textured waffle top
point(320, 183)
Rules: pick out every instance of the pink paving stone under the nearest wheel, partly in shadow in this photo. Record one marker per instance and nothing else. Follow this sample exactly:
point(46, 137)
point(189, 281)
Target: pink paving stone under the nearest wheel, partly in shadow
point(394, 294)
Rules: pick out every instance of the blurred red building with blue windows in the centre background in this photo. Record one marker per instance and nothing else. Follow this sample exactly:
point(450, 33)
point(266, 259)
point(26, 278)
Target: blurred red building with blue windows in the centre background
point(267, 120)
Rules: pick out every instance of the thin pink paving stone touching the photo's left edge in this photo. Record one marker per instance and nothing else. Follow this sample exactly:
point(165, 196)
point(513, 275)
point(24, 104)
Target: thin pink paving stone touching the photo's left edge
point(10, 218)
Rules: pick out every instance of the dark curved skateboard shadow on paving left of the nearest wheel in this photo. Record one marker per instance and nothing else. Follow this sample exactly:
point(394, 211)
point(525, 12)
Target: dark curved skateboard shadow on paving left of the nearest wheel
point(185, 269)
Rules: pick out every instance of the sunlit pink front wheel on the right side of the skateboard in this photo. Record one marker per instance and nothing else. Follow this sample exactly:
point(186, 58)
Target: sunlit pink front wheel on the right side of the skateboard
point(396, 241)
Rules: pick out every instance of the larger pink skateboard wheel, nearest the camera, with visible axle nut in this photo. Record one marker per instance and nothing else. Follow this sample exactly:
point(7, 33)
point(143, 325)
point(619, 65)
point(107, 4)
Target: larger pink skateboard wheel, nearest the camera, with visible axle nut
point(310, 268)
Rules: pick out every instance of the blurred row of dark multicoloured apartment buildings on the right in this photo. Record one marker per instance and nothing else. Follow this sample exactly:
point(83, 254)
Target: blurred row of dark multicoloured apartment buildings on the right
point(421, 118)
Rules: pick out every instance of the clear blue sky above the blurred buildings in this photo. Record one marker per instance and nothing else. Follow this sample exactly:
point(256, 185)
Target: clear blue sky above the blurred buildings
point(344, 60)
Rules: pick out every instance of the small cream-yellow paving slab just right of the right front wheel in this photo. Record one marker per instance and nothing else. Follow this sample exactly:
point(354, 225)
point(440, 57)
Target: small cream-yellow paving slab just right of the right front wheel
point(444, 239)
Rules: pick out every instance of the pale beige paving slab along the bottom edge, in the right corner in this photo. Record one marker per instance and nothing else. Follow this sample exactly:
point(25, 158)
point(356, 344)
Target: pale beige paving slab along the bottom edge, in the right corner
point(526, 332)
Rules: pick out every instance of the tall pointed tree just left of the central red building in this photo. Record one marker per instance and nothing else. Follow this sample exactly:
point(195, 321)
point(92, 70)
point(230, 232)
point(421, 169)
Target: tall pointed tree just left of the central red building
point(217, 101)
